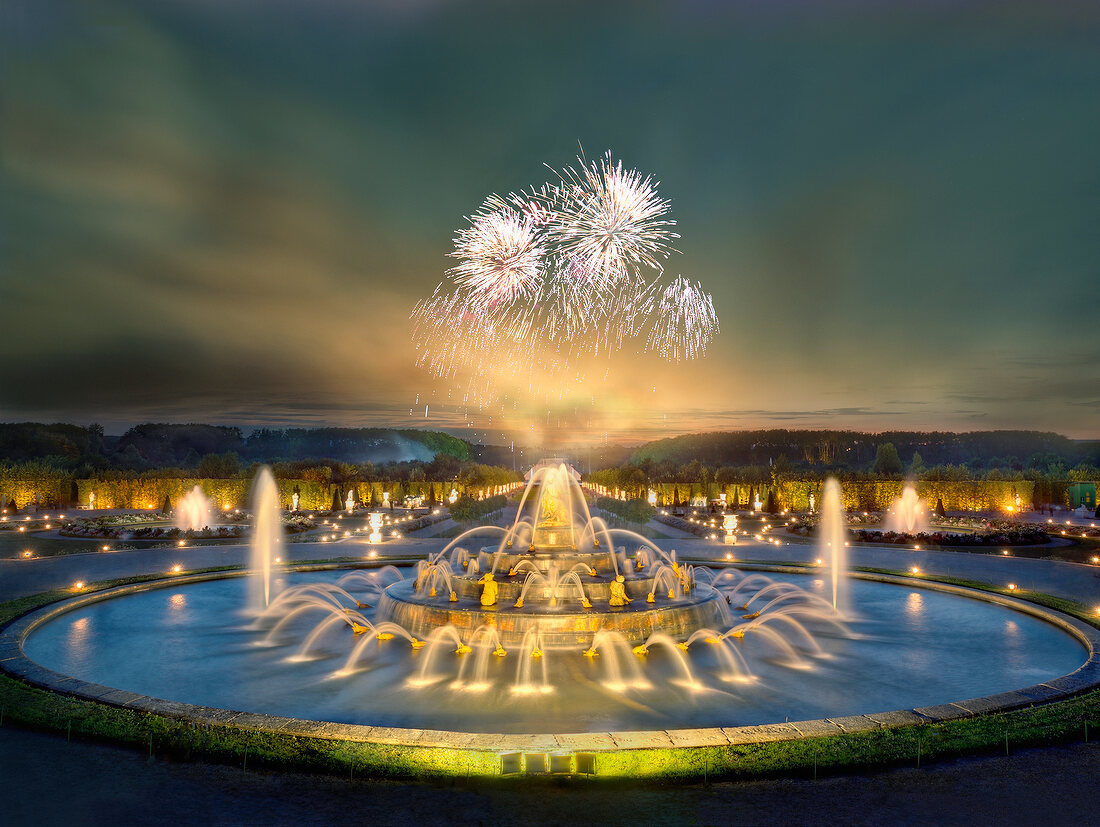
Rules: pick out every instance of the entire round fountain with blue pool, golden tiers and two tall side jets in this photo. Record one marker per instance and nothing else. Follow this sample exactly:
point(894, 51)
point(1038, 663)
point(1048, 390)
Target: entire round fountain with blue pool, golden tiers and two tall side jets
point(555, 623)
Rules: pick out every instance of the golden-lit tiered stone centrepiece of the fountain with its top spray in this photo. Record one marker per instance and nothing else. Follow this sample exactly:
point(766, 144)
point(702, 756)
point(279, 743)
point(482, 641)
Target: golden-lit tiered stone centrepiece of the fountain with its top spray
point(559, 574)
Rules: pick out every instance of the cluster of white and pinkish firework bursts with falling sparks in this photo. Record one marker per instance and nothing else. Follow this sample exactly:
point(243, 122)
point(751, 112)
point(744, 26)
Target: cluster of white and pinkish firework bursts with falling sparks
point(551, 278)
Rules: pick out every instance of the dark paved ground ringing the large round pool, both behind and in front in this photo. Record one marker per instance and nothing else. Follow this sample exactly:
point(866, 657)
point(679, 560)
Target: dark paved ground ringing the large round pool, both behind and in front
point(49, 781)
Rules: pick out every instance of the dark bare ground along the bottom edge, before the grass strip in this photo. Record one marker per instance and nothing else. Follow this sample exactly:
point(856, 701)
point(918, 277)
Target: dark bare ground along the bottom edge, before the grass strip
point(48, 781)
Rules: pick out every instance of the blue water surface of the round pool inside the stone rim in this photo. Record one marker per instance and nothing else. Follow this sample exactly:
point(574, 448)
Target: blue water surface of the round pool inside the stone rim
point(901, 648)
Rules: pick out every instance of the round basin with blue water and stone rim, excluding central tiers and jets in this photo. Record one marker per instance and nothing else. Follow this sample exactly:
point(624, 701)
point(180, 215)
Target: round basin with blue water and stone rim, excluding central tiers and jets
point(163, 647)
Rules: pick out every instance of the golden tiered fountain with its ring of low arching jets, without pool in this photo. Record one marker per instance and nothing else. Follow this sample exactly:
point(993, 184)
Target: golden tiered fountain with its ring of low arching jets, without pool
point(560, 581)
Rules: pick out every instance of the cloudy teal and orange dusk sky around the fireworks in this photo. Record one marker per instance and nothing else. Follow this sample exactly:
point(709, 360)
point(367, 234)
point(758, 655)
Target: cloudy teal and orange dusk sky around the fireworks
point(224, 211)
